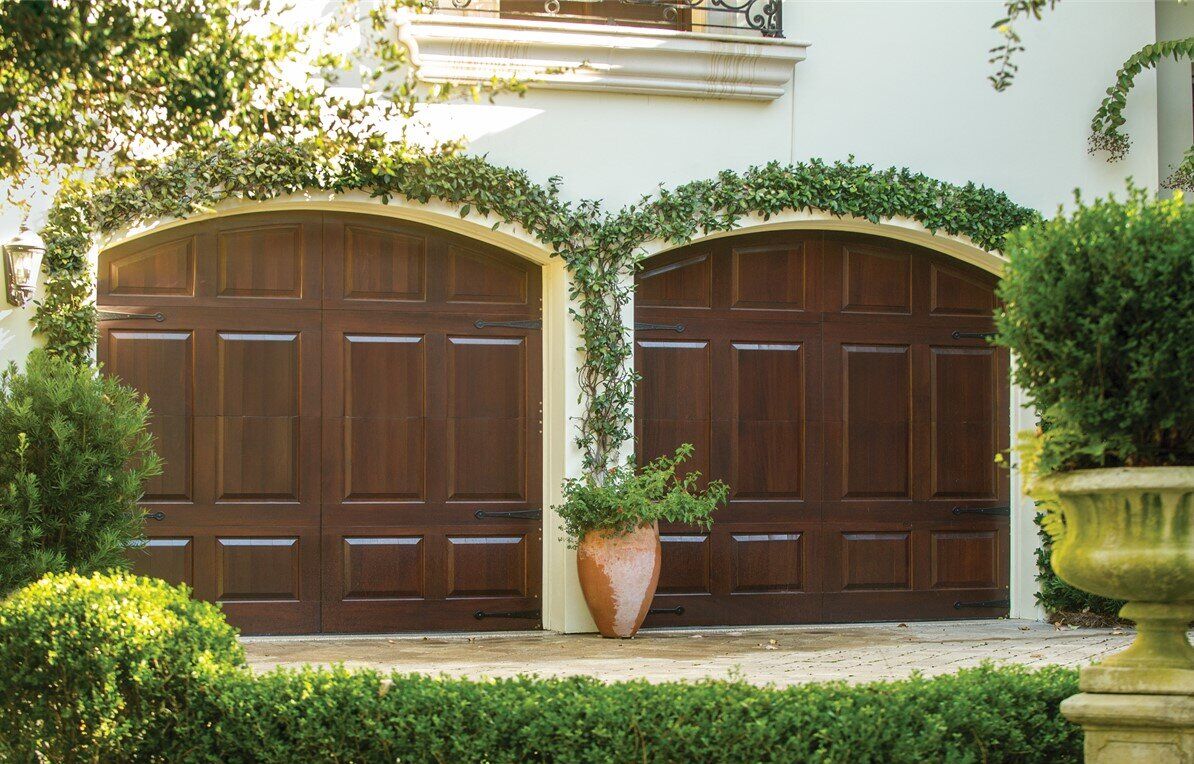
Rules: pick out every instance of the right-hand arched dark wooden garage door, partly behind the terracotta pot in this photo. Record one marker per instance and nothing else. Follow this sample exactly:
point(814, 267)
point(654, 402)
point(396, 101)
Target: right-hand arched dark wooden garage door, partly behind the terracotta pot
point(842, 387)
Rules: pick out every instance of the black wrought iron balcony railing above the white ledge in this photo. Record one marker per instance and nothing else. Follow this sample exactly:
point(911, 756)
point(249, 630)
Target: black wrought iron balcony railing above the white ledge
point(699, 16)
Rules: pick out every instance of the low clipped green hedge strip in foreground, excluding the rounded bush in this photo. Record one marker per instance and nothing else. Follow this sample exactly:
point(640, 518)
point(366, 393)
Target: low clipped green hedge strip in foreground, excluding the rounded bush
point(334, 716)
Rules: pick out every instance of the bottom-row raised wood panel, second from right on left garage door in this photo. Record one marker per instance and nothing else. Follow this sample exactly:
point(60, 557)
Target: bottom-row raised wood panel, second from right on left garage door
point(387, 568)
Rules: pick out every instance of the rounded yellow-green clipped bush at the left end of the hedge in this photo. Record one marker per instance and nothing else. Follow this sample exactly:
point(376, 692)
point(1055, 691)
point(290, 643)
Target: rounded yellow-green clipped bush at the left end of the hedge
point(100, 669)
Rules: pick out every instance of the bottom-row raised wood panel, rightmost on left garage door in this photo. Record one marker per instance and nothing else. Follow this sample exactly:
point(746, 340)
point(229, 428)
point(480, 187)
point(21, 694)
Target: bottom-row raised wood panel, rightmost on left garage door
point(488, 566)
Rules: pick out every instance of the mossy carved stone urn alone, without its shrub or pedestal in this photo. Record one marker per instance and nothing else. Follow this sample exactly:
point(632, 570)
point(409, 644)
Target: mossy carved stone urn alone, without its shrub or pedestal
point(1128, 534)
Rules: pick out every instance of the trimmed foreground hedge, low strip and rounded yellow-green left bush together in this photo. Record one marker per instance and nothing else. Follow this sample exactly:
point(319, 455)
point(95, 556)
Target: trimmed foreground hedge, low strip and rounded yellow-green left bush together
point(124, 669)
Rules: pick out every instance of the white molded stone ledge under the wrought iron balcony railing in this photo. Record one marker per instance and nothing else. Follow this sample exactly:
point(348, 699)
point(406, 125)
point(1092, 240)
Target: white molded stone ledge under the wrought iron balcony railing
point(613, 59)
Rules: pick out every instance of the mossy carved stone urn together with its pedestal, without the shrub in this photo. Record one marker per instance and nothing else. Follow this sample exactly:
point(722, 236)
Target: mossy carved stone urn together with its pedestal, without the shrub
point(1128, 534)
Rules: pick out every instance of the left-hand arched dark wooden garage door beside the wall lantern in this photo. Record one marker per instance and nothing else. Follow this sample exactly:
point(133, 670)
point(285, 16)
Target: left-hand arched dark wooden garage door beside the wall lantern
point(347, 418)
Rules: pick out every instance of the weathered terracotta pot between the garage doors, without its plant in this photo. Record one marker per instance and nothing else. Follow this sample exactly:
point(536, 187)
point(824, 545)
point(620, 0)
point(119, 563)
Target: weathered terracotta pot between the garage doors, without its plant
point(619, 576)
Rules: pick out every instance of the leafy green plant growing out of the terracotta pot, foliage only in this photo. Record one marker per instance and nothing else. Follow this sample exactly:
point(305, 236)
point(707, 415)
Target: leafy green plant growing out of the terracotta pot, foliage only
point(626, 498)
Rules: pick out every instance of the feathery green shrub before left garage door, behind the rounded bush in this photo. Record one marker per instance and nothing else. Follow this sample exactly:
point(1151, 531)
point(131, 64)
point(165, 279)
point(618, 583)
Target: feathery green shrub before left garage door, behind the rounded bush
point(75, 454)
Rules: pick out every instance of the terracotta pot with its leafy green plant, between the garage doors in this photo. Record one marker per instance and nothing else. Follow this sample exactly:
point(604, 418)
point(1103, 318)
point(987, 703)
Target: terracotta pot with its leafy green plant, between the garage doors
point(613, 522)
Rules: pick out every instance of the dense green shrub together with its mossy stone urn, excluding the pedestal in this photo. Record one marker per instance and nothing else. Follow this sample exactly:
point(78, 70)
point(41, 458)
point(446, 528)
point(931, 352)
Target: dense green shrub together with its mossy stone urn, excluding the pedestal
point(1099, 311)
